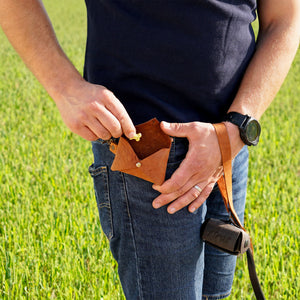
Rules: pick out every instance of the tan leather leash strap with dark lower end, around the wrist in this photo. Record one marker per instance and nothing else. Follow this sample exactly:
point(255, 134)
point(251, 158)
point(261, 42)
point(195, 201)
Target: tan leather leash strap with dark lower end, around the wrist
point(225, 187)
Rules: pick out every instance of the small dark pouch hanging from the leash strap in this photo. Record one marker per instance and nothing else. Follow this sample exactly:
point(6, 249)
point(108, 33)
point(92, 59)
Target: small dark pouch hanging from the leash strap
point(225, 236)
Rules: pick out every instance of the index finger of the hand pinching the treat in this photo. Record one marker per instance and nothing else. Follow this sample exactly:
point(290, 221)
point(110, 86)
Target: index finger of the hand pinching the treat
point(118, 110)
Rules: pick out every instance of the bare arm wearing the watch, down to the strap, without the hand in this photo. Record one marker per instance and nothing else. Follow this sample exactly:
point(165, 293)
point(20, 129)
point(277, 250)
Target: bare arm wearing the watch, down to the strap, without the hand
point(277, 44)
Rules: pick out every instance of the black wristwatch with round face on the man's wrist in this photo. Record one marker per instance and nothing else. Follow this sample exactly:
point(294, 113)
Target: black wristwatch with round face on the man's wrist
point(248, 126)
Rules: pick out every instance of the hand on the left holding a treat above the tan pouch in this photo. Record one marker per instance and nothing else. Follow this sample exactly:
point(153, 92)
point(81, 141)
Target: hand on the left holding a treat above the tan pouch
point(93, 112)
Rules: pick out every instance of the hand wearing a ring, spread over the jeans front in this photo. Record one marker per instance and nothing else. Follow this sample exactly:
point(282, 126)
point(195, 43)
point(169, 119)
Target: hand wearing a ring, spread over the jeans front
point(201, 167)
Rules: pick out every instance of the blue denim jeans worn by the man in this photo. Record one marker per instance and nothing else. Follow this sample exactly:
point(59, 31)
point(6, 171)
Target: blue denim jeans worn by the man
point(161, 256)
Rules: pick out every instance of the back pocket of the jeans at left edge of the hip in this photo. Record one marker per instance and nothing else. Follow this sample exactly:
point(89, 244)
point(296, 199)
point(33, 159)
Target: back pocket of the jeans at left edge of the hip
point(101, 186)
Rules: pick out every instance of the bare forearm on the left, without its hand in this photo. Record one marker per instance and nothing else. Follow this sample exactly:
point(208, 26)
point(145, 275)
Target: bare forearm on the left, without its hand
point(29, 30)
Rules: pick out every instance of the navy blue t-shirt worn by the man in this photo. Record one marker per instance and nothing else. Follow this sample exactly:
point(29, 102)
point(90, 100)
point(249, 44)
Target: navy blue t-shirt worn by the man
point(176, 60)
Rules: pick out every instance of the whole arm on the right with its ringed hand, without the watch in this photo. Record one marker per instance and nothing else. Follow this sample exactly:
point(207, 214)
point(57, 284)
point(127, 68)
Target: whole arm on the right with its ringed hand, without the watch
point(277, 44)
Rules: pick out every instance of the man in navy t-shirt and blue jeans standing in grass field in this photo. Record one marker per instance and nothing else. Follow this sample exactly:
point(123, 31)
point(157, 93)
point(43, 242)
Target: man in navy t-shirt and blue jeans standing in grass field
point(185, 62)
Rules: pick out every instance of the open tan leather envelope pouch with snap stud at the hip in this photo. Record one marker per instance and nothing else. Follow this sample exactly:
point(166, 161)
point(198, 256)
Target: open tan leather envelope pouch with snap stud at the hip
point(147, 158)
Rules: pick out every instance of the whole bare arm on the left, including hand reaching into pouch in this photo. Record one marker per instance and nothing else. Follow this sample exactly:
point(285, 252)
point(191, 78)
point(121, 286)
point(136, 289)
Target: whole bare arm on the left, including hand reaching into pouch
point(89, 110)
